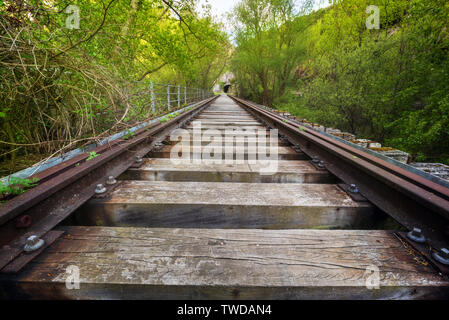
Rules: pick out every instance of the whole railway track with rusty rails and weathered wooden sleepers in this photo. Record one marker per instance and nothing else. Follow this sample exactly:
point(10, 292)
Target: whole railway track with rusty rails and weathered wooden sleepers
point(242, 224)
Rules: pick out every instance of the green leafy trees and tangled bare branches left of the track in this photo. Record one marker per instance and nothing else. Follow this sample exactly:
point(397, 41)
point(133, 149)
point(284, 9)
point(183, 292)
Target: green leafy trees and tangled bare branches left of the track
point(60, 86)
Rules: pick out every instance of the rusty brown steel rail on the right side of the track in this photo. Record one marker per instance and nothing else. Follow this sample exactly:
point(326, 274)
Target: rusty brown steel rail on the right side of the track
point(410, 199)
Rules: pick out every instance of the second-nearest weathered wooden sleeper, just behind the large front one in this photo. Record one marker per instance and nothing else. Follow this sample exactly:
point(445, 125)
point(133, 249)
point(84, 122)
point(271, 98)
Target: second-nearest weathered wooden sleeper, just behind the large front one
point(226, 205)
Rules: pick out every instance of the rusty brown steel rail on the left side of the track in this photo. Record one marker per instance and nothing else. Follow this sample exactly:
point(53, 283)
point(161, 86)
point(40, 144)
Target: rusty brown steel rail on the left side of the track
point(69, 186)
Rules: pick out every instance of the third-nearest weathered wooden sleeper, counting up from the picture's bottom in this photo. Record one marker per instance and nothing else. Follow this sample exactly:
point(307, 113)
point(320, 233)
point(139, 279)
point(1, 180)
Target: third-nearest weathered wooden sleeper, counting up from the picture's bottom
point(162, 169)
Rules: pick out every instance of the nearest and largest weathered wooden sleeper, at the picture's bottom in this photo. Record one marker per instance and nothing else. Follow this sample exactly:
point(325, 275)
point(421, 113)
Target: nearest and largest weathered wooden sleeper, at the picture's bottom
point(133, 263)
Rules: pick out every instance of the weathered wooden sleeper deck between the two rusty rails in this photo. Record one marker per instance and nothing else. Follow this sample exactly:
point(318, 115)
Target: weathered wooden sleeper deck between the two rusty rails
point(224, 236)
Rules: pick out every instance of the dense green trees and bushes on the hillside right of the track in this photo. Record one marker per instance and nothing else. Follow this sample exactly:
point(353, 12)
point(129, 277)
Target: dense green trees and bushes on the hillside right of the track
point(389, 84)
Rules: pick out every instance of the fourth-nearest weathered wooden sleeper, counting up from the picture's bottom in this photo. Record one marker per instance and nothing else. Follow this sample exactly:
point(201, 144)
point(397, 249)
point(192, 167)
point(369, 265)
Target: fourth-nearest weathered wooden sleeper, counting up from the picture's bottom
point(284, 153)
